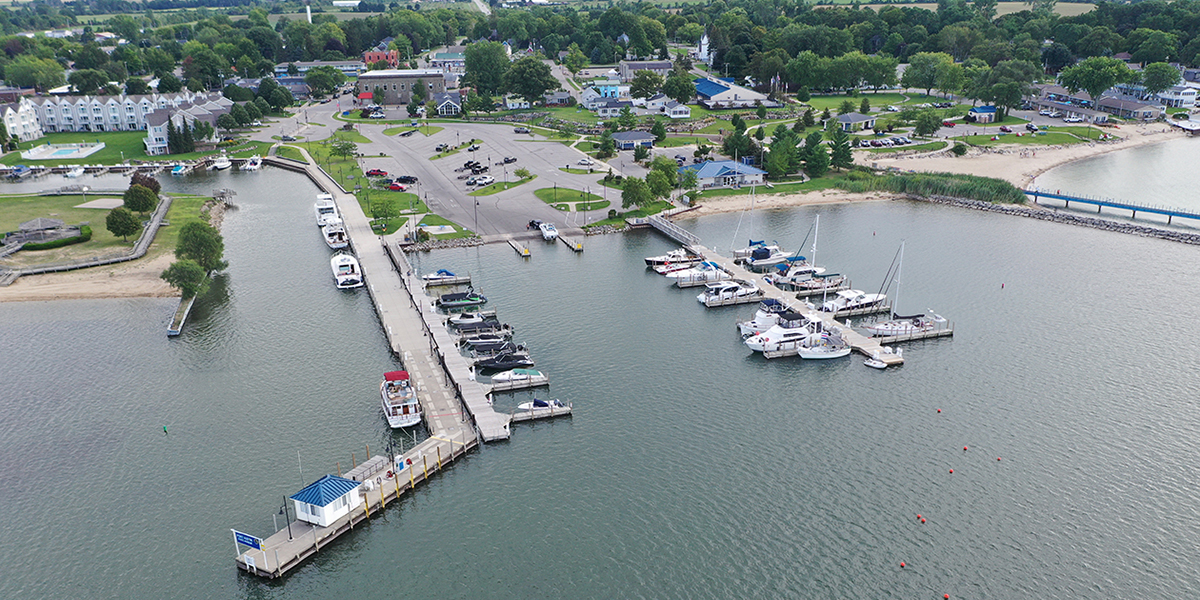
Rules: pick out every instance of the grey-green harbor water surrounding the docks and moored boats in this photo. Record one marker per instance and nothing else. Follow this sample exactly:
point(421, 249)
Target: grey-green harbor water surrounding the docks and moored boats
point(692, 467)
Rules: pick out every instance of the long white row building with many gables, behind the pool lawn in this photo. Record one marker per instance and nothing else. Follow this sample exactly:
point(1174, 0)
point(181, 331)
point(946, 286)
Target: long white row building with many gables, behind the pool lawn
point(107, 113)
